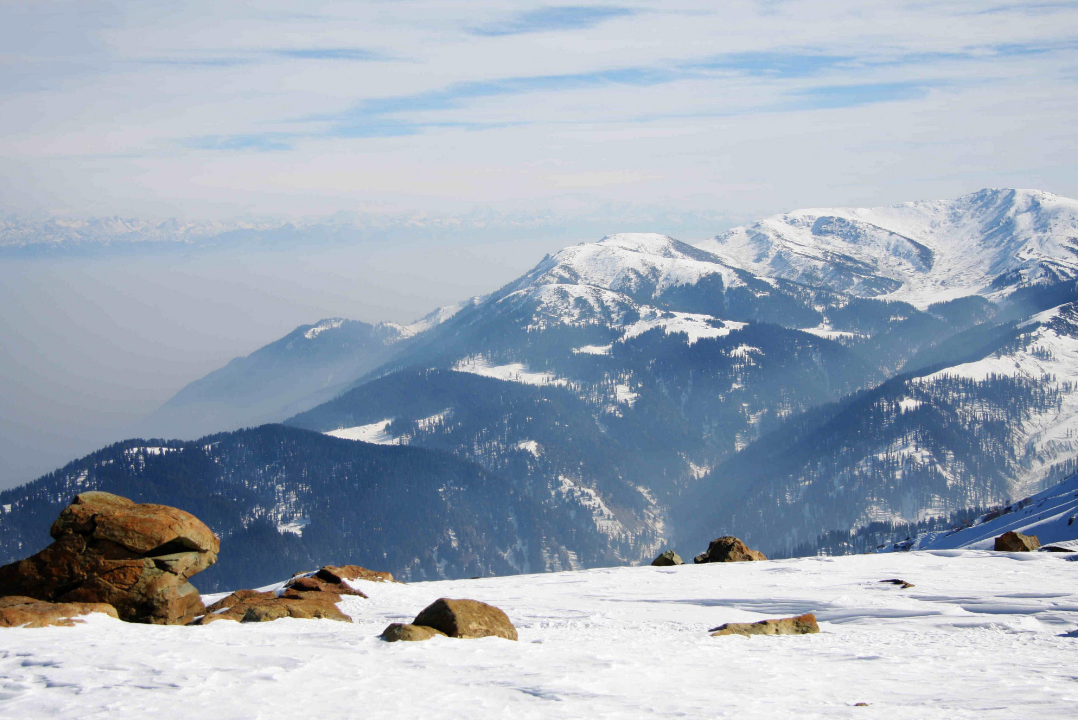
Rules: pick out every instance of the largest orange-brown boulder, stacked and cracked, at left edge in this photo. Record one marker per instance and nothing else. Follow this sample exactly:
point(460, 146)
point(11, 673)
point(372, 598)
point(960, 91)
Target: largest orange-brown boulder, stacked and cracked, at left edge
point(135, 558)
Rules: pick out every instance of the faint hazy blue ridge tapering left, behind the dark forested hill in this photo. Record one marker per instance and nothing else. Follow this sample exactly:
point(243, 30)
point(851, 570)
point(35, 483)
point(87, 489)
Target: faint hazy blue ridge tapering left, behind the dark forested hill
point(310, 366)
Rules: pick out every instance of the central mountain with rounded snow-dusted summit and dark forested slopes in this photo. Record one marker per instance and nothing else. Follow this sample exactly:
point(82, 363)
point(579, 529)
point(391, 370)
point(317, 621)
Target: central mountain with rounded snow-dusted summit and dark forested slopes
point(611, 379)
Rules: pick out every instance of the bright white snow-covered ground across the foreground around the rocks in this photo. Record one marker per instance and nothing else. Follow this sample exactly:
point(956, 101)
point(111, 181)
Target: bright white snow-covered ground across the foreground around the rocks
point(980, 635)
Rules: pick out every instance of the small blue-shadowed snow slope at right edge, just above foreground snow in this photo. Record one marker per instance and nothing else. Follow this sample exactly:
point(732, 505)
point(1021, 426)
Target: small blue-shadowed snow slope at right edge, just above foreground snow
point(1052, 516)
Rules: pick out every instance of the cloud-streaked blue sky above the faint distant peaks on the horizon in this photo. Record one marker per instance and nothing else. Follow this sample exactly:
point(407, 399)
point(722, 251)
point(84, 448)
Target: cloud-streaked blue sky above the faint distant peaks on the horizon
point(222, 109)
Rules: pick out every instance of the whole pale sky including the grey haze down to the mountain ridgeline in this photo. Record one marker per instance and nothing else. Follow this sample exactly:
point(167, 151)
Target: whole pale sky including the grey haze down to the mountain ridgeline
point(455, 143)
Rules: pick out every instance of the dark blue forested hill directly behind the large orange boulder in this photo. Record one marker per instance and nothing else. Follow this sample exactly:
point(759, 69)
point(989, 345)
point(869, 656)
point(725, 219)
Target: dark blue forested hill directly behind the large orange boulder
point(284, 501)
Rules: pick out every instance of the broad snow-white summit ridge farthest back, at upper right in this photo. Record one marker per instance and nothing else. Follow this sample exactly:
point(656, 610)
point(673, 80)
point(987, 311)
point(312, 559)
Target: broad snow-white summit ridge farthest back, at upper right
point(921, 253)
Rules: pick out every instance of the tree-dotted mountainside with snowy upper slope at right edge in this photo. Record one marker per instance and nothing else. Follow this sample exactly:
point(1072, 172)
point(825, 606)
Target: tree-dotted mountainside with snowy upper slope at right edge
point(969, 435)
